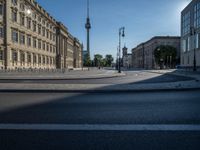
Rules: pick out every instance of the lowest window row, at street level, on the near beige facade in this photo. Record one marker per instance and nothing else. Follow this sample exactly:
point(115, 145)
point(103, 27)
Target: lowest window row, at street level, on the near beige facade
point(32, 58)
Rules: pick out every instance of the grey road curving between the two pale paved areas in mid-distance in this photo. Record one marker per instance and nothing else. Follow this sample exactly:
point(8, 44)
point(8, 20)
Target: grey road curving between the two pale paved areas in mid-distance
point(132, 77)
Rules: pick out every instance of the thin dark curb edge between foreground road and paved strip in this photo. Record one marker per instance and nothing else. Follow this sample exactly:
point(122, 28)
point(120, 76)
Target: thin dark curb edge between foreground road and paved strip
point(96, 91)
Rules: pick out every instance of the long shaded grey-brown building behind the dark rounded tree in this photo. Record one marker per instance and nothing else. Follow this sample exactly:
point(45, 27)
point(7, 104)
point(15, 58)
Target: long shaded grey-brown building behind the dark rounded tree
point(143, 54)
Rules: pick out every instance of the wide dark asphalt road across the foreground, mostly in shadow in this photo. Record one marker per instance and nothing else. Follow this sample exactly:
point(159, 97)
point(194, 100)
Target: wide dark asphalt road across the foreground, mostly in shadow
point(113, 109)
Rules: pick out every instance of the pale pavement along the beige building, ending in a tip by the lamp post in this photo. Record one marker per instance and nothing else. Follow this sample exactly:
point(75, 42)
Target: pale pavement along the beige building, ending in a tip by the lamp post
point(69, 75)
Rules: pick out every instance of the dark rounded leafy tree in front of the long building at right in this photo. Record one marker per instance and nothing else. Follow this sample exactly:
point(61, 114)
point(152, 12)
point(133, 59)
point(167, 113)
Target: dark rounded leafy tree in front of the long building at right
point(165, 56)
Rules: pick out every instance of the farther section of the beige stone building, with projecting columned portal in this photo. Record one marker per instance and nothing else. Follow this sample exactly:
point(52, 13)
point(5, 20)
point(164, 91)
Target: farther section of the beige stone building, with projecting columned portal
point(69, 49)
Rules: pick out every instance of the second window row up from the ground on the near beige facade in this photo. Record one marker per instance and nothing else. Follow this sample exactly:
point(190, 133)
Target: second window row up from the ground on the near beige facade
point(21, 38)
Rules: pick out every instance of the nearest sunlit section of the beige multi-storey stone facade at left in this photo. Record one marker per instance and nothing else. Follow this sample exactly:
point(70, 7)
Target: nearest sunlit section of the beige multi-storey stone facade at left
point(28, 36)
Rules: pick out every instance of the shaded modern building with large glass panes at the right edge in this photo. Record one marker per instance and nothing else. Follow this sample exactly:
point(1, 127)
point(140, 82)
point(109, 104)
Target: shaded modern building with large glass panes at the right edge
point(190, 43)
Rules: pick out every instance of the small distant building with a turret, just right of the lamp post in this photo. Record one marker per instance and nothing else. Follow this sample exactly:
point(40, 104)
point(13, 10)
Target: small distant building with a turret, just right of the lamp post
point(127, 58)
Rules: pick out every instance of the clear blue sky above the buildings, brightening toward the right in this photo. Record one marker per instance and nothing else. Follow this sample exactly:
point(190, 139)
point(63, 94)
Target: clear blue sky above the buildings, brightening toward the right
point(143, 19)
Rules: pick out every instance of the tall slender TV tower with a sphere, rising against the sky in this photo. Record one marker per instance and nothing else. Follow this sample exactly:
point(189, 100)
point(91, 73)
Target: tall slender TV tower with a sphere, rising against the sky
point(88, 27)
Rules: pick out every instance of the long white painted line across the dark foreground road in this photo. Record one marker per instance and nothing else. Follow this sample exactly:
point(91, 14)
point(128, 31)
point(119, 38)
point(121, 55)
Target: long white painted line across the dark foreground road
point(100, 127)
